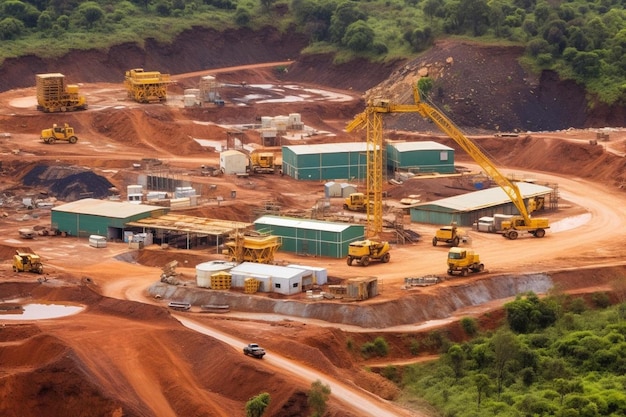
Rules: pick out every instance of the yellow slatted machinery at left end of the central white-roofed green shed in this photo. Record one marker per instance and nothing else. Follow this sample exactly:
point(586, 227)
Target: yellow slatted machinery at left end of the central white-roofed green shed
point(259, 249)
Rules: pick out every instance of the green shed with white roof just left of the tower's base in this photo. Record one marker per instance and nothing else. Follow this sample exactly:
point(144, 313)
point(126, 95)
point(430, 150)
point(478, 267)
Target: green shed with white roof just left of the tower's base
point(311, 237)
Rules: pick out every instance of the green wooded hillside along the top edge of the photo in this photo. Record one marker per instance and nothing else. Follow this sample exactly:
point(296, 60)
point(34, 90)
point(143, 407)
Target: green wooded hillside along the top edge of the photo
point(582, 40)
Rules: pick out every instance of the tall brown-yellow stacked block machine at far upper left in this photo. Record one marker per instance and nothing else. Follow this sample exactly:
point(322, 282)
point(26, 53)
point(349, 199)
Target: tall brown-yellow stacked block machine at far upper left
point(53, 95)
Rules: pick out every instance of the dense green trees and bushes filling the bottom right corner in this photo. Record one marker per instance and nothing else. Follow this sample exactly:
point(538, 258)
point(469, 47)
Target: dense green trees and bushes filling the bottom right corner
point(554, 357)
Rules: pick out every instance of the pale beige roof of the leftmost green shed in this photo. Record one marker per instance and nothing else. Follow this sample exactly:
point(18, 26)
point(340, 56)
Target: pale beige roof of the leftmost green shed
point(106, 208)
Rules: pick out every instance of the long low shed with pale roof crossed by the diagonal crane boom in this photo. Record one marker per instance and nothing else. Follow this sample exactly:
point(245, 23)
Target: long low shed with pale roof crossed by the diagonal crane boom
point(466, 209)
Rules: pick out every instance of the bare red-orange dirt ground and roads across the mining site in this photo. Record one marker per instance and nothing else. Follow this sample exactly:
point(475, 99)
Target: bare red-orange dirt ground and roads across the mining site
point(126, 354)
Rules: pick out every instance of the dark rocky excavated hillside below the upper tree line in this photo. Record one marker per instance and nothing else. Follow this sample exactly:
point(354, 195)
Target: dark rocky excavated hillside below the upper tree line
point(479, 87)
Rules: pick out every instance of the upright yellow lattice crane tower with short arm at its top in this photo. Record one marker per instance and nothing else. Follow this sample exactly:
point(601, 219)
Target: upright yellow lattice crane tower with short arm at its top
point(372, 120)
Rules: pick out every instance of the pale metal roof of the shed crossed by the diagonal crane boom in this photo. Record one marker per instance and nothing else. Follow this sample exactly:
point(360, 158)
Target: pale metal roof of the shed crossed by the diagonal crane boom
point(487, 198)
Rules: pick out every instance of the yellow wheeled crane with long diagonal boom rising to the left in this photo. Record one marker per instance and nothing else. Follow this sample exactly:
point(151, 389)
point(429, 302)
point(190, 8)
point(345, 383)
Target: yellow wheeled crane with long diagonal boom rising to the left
point(521, 223)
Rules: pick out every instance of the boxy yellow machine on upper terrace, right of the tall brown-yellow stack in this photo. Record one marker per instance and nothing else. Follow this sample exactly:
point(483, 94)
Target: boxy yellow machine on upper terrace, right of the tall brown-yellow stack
point(146, 86)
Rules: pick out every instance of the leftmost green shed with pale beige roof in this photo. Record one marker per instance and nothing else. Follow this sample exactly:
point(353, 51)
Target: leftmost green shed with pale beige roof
point(91, 216)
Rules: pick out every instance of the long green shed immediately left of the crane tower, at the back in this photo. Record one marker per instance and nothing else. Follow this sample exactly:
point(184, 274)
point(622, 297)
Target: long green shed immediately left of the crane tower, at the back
point(325, 161)
